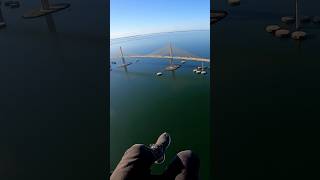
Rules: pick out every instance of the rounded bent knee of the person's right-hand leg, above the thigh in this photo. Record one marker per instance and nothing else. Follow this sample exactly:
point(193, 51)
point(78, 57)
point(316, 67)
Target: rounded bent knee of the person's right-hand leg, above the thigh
point(189, 159)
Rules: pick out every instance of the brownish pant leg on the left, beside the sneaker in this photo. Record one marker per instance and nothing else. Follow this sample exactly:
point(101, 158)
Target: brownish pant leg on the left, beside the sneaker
point(135, 164)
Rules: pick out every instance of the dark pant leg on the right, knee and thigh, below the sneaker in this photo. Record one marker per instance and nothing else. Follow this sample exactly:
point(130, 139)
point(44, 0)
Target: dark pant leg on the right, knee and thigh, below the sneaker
point(184, 166)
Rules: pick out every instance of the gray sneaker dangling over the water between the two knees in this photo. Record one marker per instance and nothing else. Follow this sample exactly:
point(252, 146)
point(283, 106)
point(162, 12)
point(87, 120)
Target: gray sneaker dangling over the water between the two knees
point(160, 147)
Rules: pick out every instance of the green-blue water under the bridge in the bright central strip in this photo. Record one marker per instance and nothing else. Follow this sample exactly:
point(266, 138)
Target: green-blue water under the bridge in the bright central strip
point(144, 105)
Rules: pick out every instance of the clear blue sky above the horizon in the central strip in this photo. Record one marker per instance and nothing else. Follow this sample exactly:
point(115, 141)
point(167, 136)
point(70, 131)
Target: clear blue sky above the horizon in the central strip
point(133, 17)
